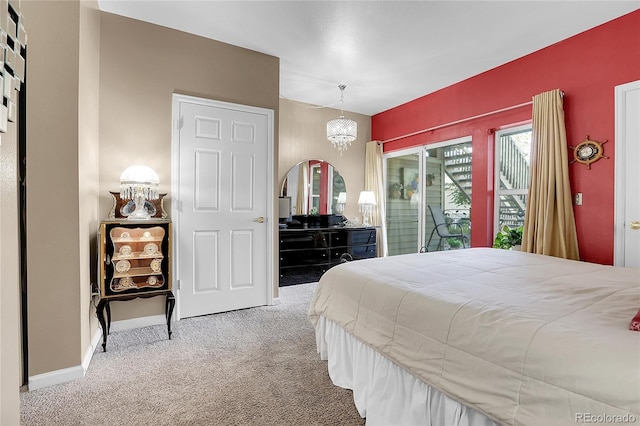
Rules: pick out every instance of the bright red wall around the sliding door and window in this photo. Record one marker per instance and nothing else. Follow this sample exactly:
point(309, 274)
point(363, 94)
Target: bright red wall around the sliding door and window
point(586, 67)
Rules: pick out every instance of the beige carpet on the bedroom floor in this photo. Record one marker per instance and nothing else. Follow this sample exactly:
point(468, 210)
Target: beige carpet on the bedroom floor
point(256, 366)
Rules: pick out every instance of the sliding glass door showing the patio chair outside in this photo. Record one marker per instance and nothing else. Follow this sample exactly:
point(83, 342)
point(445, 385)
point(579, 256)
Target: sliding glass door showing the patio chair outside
point(429, 197)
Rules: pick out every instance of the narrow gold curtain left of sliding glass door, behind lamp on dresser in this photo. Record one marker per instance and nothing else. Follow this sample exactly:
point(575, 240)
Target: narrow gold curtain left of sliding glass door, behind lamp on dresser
point(373, 181)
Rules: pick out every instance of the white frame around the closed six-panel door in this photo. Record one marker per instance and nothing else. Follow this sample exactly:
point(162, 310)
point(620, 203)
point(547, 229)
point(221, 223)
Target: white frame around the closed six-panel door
point(176, 203)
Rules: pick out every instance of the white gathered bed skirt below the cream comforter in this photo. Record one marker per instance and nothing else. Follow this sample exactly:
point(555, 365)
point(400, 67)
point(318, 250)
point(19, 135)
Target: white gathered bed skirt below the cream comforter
point(384, 393)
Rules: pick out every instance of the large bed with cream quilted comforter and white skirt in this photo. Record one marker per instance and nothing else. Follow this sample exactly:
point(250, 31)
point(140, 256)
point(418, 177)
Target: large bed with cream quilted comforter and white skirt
point(482, 336)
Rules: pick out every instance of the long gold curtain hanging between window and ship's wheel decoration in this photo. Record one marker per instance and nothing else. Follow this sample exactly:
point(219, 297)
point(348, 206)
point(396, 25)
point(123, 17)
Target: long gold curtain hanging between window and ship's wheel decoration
point(549, 224)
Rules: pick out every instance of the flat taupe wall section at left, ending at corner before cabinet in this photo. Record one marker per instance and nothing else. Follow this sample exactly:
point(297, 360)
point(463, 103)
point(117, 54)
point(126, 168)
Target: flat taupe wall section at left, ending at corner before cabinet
point(53, 200)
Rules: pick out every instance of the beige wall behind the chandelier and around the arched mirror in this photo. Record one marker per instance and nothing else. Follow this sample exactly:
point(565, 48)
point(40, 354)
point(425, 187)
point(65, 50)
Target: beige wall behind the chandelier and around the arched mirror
point(303, 136)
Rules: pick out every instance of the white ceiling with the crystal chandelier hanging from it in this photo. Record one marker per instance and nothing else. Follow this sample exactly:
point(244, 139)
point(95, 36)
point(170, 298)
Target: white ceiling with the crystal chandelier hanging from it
point(386, 52)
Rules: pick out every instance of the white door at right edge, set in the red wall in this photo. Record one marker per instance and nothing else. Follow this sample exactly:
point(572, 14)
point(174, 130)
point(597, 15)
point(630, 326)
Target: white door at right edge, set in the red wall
point(627, 220)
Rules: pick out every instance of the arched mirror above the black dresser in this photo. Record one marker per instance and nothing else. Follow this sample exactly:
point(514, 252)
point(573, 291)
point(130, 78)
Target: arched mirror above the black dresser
point(315, 187)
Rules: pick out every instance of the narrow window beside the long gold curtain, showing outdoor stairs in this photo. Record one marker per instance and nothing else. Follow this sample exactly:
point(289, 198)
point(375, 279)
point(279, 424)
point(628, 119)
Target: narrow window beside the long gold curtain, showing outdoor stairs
point(513, 151)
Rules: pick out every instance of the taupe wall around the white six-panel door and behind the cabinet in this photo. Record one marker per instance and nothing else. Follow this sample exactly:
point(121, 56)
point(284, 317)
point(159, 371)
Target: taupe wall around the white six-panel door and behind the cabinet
point(141, 66)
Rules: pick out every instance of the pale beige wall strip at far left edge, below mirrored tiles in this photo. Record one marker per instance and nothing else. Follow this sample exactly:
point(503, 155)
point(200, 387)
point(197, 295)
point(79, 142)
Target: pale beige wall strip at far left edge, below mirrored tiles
point(10, 366)
